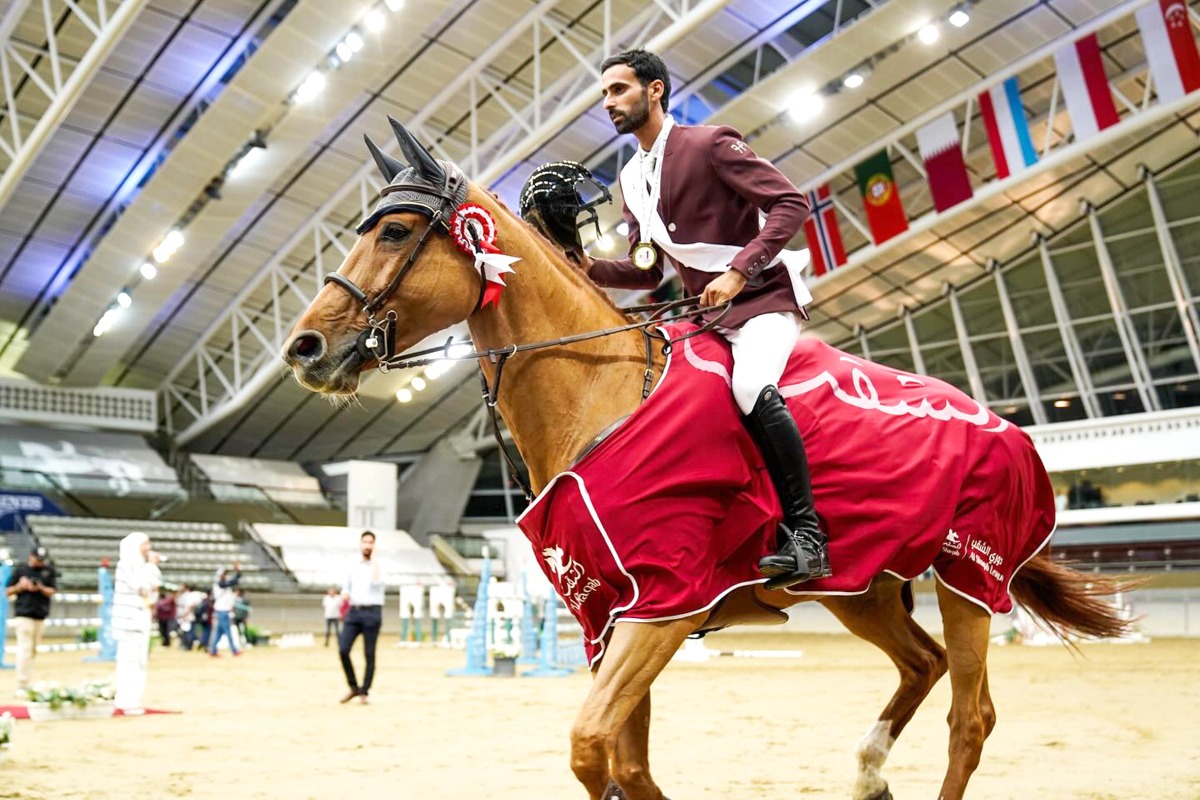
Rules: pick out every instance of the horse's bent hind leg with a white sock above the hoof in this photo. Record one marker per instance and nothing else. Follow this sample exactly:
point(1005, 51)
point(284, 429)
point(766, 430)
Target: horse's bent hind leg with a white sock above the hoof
point(880, 617)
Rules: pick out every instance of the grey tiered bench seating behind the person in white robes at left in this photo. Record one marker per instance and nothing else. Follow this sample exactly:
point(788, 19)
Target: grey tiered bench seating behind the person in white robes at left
point(195, 551)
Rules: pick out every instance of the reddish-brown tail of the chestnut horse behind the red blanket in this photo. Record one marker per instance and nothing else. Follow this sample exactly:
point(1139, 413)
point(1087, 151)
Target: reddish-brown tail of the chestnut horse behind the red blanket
point(1067, 601)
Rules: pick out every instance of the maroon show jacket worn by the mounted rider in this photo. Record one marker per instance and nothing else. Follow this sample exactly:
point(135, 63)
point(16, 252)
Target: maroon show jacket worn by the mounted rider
point(713, 188)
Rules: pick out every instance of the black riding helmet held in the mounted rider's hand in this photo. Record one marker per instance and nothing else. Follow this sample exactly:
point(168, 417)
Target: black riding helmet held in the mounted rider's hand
point(553, 201)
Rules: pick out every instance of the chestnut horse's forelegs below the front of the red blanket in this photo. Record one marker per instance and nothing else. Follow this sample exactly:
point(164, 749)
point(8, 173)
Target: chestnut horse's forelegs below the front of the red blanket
point(637, 654)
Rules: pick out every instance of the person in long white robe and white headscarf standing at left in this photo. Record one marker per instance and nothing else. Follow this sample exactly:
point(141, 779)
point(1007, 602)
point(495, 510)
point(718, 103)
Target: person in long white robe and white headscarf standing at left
point(135, 588)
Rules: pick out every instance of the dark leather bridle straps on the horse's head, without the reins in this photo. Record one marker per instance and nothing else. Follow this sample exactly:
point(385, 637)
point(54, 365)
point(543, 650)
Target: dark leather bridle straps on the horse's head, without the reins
point(379, 340)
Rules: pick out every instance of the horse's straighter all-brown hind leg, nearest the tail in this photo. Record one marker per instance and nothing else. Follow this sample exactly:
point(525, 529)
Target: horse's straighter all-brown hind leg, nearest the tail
point(968, 629)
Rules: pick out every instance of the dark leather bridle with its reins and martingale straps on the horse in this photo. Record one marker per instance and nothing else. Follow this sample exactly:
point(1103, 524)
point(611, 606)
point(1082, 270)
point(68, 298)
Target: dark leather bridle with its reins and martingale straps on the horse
point(379, 340)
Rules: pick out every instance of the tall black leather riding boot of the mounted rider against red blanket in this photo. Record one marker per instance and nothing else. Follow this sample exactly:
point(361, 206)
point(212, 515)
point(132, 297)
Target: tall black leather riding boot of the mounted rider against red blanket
point(802, 545)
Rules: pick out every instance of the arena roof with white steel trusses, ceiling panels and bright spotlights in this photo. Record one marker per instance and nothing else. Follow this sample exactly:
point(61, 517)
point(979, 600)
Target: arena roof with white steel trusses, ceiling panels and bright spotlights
point(178, 177)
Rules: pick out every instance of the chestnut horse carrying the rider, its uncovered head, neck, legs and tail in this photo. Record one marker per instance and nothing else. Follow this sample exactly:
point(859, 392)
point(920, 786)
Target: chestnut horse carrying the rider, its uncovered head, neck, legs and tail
point(412, 280)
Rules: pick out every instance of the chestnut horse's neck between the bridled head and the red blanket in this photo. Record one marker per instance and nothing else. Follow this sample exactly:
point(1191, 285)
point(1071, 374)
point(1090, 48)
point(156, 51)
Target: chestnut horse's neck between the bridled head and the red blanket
point(556, 400)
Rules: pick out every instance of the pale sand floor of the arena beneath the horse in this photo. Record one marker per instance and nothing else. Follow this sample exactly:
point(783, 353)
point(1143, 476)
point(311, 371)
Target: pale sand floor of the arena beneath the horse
point(1123, 723)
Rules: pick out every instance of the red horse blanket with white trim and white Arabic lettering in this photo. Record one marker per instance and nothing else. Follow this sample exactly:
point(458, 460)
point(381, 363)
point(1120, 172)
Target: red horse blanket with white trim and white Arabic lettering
point(675, 509)
